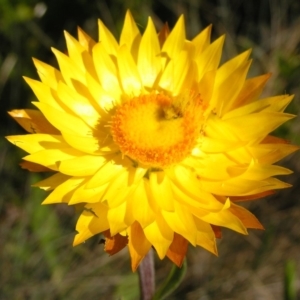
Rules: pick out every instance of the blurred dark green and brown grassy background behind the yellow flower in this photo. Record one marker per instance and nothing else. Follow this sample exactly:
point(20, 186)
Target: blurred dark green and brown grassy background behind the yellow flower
point(37, 260)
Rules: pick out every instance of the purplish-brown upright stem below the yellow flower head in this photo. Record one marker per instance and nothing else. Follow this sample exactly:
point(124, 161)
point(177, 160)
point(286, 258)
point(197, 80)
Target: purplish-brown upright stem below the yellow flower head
point(147, 277)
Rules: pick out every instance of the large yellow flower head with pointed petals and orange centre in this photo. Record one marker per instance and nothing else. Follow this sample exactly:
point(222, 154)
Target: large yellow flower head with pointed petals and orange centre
point(152, 140)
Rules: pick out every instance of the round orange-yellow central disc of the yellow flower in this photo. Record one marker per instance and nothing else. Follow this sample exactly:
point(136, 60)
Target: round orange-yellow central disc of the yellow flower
point(157, 130)
